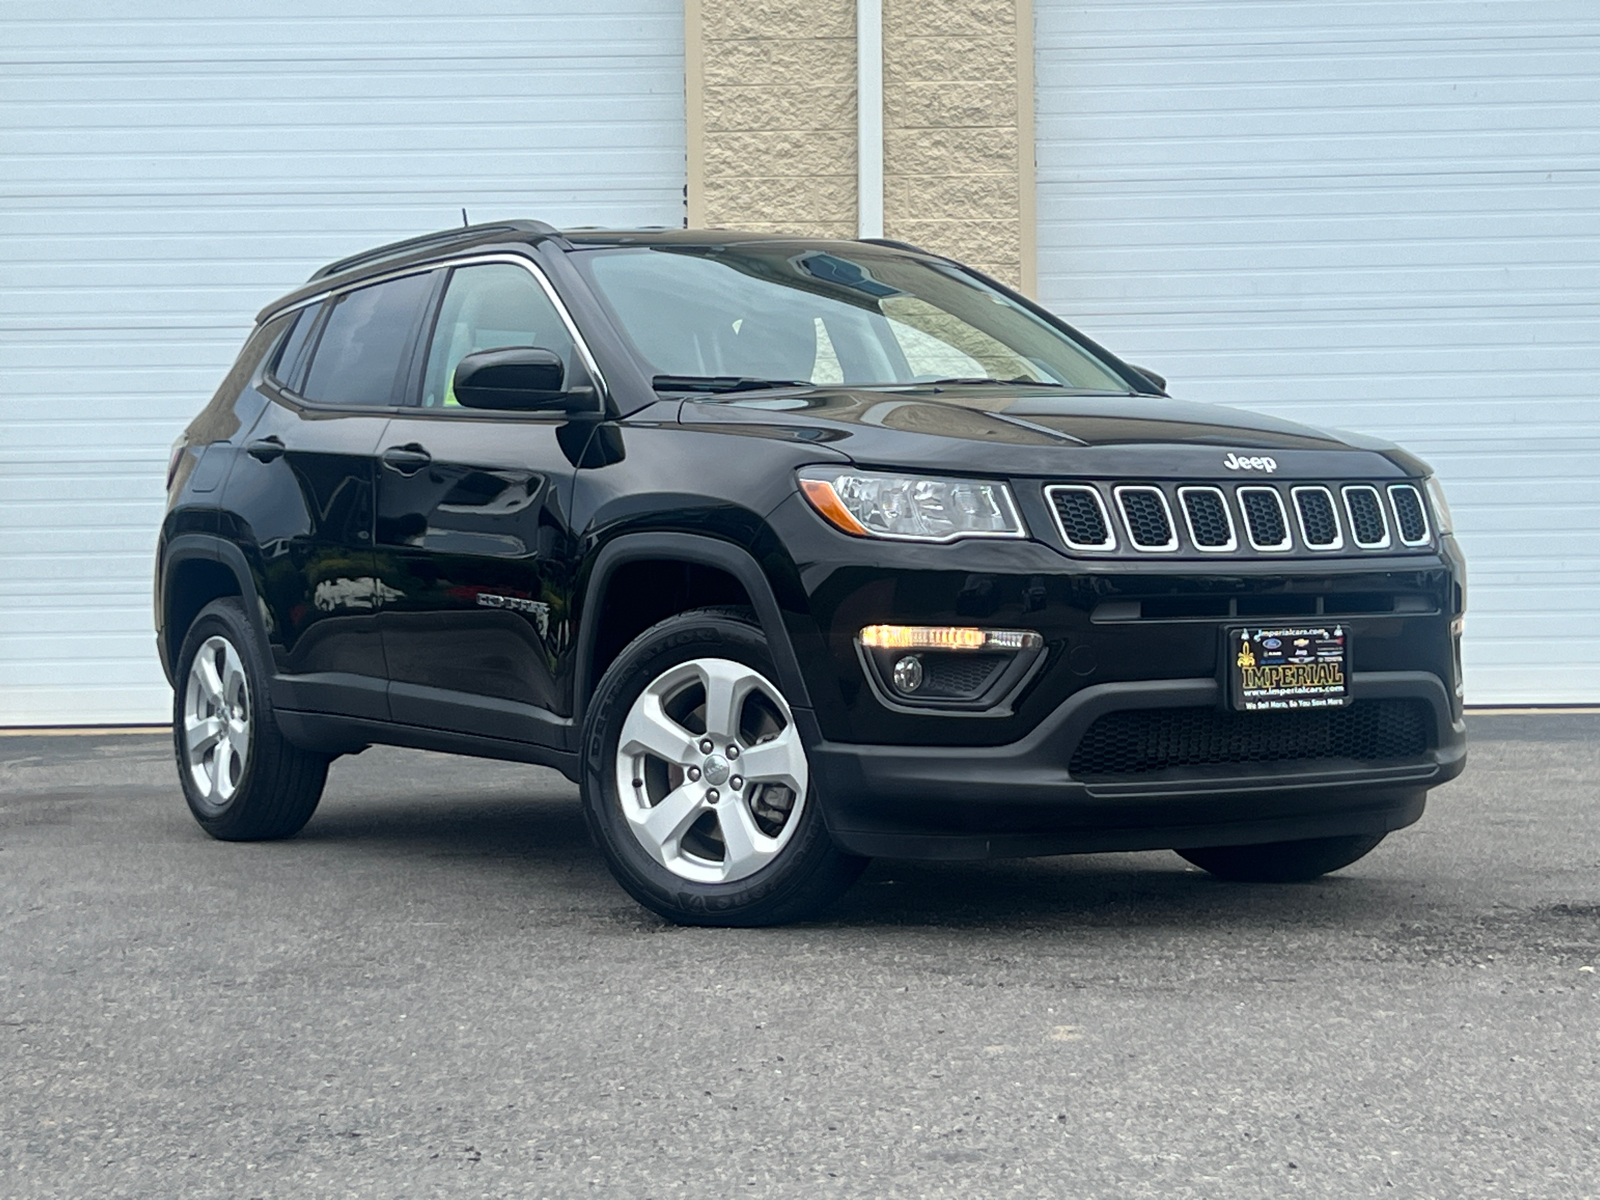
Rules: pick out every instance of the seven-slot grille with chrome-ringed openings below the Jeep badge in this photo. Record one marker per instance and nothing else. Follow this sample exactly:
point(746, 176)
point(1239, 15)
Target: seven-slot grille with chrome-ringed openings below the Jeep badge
point(1246, 519)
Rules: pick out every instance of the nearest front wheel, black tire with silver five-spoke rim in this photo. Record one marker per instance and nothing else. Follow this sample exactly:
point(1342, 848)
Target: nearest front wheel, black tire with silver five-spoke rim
point(666, 801)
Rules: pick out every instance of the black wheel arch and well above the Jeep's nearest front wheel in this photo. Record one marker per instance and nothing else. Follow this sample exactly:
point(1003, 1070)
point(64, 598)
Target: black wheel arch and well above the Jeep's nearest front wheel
point(700, 572)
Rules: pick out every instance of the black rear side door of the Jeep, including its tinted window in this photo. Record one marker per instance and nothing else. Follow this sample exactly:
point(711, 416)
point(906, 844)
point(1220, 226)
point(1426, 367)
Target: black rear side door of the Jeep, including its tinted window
point(303, 494)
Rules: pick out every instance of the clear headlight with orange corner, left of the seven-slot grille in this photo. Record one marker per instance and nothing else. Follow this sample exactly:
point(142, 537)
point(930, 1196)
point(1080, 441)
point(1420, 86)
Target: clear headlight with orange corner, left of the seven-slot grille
point(913, 508)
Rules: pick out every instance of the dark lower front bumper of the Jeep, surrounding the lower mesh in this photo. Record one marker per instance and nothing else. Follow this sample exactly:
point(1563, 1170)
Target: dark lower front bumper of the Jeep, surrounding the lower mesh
point(1018, 799)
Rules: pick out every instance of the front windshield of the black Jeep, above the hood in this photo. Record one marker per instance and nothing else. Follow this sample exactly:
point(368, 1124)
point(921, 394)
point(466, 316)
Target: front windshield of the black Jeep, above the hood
point(842, 314)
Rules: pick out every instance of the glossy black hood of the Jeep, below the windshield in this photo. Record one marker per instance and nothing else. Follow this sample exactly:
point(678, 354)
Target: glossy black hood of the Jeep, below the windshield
point(1036, 433)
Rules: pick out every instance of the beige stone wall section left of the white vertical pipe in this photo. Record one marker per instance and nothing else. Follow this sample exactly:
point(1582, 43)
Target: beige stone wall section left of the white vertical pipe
point(777, 116)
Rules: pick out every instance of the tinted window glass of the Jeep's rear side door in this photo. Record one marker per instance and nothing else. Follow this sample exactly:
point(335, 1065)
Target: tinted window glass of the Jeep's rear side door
point(359, 356)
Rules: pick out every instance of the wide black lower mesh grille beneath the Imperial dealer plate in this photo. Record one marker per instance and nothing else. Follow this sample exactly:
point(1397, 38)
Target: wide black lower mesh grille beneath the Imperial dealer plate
point(1140, 742)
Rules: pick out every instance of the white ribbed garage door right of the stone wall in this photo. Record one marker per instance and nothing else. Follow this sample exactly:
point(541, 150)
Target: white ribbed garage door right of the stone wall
point(1378, 217)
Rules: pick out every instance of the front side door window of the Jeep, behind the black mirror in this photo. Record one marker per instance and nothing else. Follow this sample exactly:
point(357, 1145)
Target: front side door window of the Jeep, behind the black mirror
point(489, 308)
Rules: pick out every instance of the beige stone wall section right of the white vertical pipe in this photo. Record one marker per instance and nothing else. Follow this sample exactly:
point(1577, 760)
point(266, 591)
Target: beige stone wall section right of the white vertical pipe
point(956, 129)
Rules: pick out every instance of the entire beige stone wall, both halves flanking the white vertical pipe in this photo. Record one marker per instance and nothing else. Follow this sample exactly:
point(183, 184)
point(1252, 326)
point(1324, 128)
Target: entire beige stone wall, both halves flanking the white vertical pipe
point(772, 124)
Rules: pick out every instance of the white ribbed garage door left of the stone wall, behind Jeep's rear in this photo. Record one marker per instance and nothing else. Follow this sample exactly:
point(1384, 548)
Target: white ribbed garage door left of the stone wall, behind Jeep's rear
point(169, 167)
